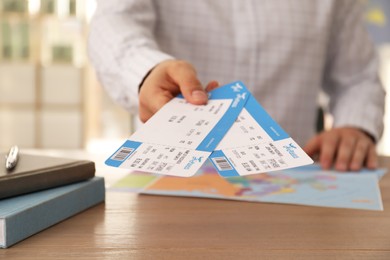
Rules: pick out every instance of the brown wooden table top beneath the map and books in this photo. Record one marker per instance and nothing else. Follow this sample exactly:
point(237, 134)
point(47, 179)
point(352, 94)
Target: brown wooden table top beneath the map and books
point(130, 226)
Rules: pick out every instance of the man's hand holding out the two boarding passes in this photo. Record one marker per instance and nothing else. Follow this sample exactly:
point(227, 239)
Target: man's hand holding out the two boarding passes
point(164, 82)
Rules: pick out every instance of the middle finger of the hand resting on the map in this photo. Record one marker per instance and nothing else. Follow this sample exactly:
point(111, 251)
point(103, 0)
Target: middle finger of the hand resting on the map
point(345, 151)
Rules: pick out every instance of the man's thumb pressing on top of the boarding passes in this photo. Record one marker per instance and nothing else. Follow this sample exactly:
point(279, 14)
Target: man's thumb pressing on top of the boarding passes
point(184, 75)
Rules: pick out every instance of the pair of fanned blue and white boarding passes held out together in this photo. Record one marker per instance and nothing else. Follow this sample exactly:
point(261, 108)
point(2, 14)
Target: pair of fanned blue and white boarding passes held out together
point(232, 129)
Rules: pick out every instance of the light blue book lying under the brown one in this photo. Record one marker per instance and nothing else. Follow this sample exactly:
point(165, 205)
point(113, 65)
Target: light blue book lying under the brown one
point(23, 216)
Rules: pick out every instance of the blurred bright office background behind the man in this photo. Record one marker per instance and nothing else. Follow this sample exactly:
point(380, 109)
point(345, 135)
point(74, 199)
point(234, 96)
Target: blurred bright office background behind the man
point(50, 97)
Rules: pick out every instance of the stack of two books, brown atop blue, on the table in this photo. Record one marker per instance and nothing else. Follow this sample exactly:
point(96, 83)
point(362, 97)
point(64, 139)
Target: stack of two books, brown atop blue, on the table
point(42, 191)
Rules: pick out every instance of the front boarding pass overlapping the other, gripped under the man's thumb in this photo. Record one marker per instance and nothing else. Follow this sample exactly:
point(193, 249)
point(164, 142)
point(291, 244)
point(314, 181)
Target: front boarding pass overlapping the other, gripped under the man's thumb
point(180, 136)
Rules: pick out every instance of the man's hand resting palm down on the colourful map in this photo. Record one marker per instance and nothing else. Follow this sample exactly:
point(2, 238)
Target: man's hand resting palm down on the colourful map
point(346, 148)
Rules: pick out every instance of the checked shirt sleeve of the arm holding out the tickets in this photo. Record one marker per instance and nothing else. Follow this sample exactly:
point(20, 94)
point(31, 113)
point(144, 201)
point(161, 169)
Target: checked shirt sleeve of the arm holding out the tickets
point(122, 47)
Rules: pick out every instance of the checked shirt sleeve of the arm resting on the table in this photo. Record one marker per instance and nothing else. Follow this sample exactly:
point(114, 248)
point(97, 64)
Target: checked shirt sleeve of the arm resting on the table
point(351, 80)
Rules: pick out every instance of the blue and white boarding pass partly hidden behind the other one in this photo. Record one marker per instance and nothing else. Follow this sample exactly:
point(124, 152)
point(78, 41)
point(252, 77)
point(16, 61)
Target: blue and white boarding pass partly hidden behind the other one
point(256, 143)
